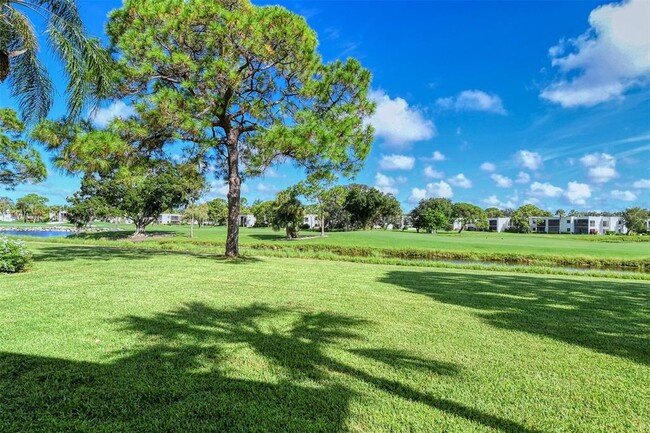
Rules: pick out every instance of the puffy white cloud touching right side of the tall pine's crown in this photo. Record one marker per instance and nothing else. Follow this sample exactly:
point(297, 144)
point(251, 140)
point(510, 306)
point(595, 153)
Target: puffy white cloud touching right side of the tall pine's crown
point(398, 124)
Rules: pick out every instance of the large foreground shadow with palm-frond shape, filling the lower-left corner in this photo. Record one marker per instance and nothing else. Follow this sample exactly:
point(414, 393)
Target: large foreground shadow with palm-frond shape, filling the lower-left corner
point(180, 379)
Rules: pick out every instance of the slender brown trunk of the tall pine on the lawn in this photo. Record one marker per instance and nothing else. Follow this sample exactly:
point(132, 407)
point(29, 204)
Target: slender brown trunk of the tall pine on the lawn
point(234, 195)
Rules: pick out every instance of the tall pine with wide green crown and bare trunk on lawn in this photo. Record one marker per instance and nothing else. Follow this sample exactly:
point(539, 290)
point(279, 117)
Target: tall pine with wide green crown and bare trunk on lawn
point(245, 82)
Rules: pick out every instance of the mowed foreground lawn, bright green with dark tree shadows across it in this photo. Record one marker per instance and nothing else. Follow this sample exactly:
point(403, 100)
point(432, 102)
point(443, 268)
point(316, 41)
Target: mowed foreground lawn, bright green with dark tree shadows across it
point(104, 340)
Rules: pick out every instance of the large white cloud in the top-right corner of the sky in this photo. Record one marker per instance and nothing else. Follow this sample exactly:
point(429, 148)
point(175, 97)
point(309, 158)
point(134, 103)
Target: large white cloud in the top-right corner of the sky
point(611, 57)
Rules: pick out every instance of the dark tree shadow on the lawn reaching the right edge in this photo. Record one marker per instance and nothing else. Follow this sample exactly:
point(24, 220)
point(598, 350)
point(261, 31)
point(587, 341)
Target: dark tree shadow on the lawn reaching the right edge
point(610, 317)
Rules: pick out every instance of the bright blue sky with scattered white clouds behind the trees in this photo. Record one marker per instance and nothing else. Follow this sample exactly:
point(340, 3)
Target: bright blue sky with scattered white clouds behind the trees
point(494, 103)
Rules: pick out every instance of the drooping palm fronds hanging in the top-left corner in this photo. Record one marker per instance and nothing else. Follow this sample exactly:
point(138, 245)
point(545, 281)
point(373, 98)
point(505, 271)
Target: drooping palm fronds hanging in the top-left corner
point(86, 63)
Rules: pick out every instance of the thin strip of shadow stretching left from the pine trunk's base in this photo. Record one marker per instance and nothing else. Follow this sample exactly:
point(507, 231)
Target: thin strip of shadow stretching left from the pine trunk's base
point(62, 252)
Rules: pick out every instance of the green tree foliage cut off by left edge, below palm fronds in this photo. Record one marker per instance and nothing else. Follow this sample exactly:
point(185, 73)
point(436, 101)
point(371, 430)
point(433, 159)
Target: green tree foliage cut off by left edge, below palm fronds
point(19, 162)
